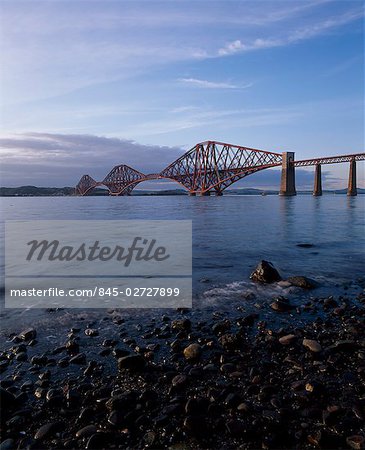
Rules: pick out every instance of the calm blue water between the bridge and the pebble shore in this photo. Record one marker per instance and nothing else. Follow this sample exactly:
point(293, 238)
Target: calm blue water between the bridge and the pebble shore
point(231, 234)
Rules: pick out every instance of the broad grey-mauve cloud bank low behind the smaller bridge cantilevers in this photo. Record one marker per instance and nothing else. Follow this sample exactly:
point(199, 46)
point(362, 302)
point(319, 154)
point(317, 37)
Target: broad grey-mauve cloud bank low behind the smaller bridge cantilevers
point(45, 159)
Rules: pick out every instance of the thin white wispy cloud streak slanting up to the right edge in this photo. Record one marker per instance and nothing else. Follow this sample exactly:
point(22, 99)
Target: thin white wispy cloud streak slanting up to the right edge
point(300, 34)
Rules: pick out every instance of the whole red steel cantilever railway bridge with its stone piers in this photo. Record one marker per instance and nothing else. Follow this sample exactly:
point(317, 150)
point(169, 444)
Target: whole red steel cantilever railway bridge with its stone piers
point(211, 167)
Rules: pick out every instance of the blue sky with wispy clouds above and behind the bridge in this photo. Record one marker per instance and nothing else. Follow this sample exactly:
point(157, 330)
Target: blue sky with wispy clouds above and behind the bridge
point(86, 85)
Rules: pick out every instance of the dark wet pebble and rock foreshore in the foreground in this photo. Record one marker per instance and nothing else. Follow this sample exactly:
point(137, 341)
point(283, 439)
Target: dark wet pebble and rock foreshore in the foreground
point(189, 380)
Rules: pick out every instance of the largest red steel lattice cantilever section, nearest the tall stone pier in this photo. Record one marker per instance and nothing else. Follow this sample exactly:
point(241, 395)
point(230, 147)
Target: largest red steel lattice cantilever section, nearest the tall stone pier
point(214, 165)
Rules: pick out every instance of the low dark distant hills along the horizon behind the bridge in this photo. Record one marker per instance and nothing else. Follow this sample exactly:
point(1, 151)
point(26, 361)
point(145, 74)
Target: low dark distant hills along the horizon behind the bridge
point(34, 191)
